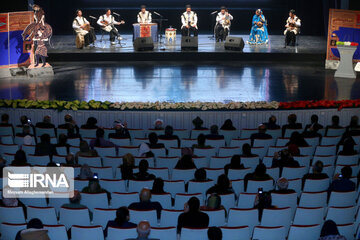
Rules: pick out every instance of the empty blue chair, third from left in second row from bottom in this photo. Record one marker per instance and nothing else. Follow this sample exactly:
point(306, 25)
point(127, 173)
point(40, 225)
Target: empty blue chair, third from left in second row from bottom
point(74, 216)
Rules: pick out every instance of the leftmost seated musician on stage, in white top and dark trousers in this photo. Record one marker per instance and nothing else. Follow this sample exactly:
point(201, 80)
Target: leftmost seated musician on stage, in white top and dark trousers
point(82, 26)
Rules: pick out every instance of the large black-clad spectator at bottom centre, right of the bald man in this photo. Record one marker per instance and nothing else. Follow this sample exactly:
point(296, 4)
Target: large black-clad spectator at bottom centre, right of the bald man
point(192, 217)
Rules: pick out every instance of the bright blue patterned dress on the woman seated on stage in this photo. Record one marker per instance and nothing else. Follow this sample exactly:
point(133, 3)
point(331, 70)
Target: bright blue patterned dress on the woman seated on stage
point(258, 35)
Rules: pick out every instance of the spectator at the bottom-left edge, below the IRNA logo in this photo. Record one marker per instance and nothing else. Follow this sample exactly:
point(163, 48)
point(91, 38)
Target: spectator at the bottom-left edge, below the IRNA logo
point(34, 230)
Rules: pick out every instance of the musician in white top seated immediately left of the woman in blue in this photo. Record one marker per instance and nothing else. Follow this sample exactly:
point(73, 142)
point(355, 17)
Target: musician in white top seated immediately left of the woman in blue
point(223, 22)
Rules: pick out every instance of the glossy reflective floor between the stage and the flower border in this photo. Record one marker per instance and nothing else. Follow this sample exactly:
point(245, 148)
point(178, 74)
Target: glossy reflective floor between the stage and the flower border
point(181, 81)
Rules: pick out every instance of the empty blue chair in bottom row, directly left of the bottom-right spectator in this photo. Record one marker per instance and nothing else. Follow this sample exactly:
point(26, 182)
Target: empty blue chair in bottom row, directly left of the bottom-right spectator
point(309, 232)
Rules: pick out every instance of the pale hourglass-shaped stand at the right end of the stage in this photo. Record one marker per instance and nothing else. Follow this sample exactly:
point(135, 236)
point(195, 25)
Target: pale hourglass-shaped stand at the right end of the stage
point(346, 68)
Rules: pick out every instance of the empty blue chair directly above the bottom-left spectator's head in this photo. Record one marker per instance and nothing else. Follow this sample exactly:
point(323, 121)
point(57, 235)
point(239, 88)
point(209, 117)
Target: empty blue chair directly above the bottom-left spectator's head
point(47, 215)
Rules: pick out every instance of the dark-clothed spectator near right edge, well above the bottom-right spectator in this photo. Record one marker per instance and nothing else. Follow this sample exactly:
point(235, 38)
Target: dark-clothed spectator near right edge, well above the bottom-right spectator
point(342, 182)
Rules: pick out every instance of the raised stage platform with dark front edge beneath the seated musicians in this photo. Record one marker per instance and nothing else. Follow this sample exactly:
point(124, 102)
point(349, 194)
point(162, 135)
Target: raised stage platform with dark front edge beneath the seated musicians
point(309, 48)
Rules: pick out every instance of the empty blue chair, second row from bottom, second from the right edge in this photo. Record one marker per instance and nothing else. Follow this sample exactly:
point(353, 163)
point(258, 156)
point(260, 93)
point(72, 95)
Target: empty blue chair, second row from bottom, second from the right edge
point(309, 216)
